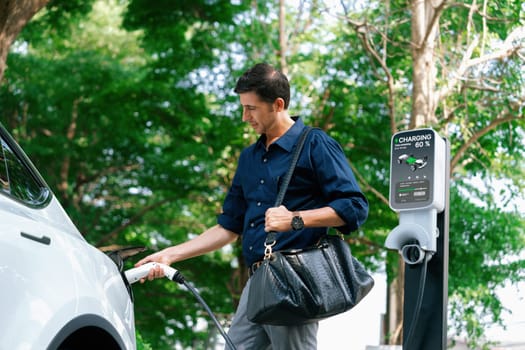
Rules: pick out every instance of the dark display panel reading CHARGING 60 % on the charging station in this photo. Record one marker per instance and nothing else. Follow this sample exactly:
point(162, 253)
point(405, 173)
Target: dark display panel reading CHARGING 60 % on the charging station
point(412, 169)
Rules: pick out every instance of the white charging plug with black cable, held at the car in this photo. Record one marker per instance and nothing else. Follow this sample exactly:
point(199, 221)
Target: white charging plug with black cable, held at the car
point(137, 273)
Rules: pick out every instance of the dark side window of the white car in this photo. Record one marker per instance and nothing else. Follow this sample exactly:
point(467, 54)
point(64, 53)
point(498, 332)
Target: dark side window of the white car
point(16, 179)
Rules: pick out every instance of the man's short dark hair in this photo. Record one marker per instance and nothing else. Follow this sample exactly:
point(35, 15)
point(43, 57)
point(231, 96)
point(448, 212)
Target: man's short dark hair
point(267, 82)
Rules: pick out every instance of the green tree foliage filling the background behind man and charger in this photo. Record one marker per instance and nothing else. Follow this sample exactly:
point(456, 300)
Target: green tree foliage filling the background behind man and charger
point(127, 109)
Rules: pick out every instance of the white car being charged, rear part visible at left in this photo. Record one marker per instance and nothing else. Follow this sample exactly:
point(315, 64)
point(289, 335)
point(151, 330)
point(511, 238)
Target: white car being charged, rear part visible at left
point(56, 290)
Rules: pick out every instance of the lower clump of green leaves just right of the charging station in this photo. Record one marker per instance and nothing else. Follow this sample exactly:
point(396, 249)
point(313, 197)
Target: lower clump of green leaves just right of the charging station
point(486, 245)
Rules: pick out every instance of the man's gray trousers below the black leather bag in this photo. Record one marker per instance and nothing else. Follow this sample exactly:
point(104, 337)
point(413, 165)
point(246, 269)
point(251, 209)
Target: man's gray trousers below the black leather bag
point(247, 335)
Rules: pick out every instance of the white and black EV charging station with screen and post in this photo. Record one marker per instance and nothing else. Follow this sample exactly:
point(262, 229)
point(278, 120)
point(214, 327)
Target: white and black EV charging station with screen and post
point(419, 193)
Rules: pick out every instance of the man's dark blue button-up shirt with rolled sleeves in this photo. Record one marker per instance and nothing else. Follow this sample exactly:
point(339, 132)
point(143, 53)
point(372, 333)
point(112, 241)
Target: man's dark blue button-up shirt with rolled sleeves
point(321, 178)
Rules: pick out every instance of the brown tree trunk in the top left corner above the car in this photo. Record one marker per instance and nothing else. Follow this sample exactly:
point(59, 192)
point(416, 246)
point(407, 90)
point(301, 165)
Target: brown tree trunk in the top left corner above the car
point(14, 15)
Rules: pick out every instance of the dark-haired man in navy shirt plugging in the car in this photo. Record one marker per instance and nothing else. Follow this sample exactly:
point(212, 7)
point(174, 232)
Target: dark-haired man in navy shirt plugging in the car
point(322, 193)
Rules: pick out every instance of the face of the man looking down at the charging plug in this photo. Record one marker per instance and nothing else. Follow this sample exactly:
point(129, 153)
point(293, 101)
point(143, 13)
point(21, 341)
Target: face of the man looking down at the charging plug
point(260, 114)
